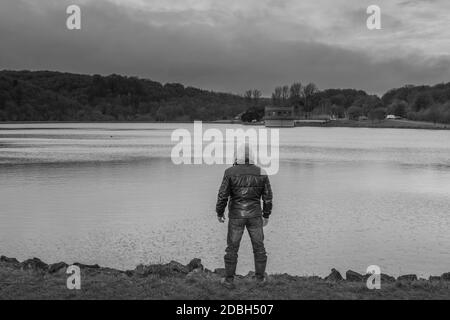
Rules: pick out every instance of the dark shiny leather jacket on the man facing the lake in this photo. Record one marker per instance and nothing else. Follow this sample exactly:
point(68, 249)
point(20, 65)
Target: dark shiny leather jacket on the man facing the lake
point(243, 187)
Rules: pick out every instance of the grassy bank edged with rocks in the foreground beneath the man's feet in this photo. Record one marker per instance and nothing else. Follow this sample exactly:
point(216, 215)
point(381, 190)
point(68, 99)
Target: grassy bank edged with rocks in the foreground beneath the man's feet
point(33, 279)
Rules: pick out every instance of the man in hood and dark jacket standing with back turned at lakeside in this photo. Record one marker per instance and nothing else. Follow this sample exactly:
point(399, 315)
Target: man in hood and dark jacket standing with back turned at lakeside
point(243, 187)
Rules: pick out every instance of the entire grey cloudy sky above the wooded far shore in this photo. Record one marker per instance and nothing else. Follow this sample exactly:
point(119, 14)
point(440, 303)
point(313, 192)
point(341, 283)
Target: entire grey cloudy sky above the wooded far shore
point(234, 45)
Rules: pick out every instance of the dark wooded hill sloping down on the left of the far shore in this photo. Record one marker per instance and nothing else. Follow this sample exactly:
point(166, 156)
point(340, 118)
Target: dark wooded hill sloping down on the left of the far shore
point(56, 96)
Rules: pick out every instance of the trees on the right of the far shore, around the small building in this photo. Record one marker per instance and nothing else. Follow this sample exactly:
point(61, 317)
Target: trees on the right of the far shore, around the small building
point(423, 103)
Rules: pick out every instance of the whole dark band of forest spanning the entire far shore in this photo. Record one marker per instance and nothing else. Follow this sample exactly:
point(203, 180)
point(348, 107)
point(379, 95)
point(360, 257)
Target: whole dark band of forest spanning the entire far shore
point(57, 96)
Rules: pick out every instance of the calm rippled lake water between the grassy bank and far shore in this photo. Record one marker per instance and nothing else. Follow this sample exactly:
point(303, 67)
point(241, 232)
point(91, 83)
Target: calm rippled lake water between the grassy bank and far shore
point(109, 194)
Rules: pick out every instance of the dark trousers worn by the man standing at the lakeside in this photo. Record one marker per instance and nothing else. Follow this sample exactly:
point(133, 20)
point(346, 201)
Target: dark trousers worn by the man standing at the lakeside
point(255, 230)
